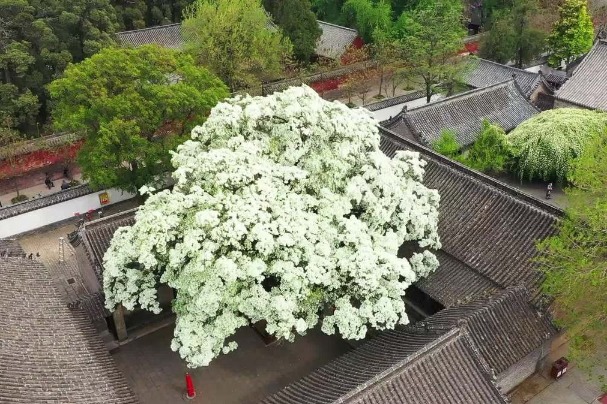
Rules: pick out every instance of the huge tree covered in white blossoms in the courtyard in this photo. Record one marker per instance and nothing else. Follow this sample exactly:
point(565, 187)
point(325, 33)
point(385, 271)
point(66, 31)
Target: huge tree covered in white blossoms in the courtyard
point(283, 209)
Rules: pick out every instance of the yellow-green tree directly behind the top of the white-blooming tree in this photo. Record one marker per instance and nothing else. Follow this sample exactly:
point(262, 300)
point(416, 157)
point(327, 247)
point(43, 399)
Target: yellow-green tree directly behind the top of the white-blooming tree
point(236, 40)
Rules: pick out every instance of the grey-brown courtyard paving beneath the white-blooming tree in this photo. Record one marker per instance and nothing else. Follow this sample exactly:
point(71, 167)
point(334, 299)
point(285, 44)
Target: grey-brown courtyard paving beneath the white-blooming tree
point(247, 375)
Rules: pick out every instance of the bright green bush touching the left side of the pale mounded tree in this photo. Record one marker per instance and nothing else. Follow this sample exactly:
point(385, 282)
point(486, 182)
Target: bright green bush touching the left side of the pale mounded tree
point(490, 152)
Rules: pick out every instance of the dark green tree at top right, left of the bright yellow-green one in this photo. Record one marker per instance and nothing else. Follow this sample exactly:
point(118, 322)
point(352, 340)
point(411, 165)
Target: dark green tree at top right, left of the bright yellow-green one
point(513, 35)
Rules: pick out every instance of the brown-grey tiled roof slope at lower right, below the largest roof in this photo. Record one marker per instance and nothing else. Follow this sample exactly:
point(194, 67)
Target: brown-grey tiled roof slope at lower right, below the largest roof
point(504, 327)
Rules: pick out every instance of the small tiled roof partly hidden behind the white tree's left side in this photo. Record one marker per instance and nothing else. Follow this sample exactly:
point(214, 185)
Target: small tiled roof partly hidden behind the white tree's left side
point(97, 235)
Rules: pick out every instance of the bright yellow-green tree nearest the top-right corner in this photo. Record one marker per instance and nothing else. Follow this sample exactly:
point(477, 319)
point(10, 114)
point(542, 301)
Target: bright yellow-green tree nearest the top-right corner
point(573, 33)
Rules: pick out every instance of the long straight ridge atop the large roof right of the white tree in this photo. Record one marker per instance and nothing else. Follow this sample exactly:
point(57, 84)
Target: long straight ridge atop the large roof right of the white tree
point(480, 177)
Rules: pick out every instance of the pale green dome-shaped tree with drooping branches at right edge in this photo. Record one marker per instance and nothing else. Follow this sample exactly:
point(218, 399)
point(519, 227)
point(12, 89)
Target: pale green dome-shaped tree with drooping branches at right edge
point(544, 146)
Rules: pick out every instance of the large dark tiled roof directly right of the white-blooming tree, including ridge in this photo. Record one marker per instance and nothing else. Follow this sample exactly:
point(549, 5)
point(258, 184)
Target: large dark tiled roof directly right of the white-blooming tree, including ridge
point(485, 226)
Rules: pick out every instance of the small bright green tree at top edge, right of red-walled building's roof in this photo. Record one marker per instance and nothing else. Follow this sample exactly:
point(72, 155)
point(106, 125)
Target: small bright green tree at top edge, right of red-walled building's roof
point(368, 16)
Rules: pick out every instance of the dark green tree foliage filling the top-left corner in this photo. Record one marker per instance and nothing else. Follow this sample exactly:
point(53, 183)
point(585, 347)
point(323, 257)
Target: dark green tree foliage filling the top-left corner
point(37, 41)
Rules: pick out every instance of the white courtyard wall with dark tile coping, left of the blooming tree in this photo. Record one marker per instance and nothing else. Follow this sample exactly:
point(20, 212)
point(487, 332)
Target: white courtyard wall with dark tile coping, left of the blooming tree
point(31, 219)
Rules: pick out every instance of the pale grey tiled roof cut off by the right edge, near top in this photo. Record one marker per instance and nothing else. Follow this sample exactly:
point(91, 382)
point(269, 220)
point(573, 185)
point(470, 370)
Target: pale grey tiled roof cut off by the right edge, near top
point(588, 85)
